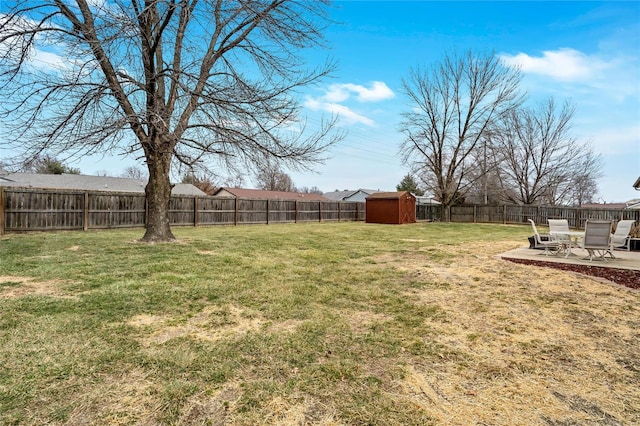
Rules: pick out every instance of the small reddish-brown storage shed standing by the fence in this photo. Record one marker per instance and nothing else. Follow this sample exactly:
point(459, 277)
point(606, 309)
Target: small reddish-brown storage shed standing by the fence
point(391, 207)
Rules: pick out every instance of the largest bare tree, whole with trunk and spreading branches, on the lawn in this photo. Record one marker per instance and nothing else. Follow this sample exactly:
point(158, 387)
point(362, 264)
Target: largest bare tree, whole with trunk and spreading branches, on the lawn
point(167, 80)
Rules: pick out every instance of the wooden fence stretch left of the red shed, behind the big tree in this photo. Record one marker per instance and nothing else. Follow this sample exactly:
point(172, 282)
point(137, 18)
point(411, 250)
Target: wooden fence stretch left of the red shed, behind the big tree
point(26, 209)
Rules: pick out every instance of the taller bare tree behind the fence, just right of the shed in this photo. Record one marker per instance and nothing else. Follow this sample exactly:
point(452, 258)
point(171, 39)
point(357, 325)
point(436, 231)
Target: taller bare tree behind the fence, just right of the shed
point(452, 106)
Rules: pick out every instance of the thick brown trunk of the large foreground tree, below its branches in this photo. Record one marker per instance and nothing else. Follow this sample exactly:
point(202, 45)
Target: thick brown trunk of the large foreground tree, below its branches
point(158, 191)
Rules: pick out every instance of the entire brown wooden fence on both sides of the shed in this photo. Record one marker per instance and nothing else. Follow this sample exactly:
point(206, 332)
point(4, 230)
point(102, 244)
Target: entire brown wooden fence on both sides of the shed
point(27, 209)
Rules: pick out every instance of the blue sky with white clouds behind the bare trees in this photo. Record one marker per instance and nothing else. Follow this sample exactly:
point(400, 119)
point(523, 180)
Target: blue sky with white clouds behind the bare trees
point(584, 52)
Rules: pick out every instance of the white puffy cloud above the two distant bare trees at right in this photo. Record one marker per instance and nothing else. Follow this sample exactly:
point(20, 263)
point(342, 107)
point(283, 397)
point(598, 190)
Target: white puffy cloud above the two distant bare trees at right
point(562, 64)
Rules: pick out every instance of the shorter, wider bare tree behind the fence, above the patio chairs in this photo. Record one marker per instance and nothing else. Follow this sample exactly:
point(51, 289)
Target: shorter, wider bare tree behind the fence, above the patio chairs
point(541, 162)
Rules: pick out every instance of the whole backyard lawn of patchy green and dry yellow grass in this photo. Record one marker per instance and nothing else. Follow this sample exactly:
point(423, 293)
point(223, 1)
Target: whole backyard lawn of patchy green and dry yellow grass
point(328, 324)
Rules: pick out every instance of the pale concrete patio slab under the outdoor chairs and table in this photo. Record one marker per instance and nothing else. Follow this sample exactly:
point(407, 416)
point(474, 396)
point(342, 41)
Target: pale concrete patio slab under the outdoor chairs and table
point(624, 259)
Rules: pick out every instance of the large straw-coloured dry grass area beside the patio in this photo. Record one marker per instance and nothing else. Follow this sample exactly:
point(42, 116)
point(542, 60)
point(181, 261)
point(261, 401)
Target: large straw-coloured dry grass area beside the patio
point(528, 337)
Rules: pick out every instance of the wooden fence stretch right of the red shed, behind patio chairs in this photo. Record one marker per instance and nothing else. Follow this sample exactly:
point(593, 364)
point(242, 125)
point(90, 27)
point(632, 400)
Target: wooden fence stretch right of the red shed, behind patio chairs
point(514, 214)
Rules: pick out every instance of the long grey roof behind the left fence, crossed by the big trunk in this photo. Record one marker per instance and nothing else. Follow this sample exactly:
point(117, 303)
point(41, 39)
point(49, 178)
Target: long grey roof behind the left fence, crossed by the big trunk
point(87, 183)
